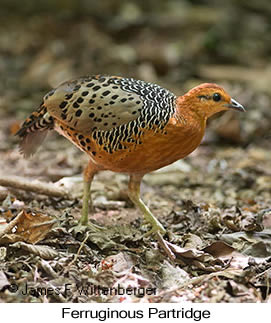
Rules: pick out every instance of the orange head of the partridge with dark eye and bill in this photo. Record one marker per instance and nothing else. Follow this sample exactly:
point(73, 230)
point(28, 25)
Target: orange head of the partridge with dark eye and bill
point(207, 99)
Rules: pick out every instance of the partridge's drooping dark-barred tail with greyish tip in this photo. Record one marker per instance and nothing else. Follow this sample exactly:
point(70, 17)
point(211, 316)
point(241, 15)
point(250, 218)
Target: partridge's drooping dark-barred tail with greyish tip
point(34, 129)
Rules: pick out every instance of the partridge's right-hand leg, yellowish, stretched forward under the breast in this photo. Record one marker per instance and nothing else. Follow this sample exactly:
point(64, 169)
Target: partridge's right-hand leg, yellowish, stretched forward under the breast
point(134, 195)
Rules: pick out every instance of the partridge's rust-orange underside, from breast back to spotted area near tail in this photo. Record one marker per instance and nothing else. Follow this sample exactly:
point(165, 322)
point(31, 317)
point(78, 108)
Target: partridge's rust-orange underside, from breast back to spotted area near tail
point(153, 150)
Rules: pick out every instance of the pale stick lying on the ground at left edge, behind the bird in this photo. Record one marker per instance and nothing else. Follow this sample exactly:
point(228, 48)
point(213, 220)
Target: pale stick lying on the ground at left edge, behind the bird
point(38, 187)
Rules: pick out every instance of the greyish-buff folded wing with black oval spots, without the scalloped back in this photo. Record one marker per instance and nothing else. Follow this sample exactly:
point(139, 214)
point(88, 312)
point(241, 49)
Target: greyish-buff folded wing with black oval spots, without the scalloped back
point(93, 103)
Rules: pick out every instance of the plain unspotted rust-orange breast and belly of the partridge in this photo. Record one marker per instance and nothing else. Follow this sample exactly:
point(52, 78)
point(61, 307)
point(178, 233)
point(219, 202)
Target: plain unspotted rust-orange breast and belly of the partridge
point(153, 151)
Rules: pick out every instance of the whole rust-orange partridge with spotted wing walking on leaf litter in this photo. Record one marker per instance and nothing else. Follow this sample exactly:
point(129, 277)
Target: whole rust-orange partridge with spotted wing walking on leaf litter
point(125, 125)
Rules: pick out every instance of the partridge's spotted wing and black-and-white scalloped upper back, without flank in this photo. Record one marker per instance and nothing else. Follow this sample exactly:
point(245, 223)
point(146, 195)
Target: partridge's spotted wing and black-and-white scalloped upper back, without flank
point(103, 103)
